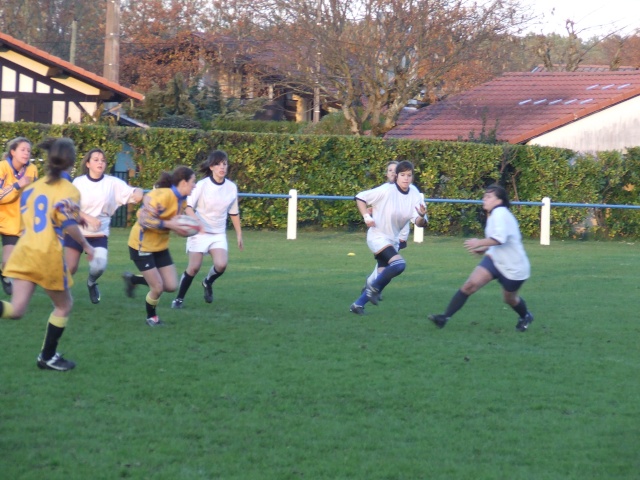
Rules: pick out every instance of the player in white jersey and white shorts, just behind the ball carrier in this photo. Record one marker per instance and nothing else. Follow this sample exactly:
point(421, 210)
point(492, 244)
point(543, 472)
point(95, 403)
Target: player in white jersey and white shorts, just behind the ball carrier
point(213, 200)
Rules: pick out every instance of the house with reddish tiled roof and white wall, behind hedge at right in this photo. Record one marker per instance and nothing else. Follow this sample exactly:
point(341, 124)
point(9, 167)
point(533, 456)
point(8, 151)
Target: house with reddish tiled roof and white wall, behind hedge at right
point(584, 111)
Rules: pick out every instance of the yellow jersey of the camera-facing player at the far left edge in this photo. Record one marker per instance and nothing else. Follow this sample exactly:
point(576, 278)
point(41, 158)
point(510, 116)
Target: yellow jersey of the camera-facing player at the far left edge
point(10, 223)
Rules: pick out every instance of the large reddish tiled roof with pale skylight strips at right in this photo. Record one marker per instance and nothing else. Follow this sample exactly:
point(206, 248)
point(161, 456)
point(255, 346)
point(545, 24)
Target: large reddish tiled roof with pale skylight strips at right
point(519, 106)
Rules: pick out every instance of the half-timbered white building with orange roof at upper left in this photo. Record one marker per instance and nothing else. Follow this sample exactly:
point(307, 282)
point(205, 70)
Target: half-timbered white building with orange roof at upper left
point(38, 87)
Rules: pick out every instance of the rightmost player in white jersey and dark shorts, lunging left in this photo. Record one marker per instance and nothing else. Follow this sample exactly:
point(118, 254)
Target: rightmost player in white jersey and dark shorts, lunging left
point(504, 259)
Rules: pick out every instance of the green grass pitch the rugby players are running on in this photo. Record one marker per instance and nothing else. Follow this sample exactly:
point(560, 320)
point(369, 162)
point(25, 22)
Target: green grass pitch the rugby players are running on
point(277, 380)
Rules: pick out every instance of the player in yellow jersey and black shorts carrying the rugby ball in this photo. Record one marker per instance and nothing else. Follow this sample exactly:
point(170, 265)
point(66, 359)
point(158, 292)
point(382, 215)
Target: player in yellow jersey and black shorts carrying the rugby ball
point(149, 237)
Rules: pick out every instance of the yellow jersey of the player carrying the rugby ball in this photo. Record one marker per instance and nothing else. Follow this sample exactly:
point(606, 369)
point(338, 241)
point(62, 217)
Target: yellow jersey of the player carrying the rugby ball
point(148, 233)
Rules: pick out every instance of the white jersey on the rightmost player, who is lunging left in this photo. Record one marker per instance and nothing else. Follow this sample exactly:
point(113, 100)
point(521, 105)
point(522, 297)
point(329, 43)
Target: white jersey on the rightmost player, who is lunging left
point(509, 257)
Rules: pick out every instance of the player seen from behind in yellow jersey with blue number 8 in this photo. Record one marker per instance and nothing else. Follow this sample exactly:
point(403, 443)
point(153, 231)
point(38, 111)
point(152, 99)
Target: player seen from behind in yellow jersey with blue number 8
point(50, 208)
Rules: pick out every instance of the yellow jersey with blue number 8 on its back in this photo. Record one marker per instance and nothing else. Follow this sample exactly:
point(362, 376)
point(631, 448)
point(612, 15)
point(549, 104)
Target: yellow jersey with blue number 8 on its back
point(38, 256)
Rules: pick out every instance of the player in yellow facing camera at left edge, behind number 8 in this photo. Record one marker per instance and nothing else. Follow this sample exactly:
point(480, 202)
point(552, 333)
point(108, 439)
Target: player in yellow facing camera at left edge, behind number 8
point(15, 174)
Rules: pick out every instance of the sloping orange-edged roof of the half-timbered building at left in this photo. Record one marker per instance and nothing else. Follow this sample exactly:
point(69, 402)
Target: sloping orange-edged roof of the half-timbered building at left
point(61, 67)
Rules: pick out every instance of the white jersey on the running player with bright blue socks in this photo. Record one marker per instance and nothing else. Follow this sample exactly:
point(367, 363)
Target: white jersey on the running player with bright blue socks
point(392, 209)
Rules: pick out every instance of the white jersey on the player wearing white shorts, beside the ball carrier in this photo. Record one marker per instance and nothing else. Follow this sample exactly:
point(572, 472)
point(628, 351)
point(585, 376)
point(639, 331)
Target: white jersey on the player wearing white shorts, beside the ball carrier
point(213, 202)
